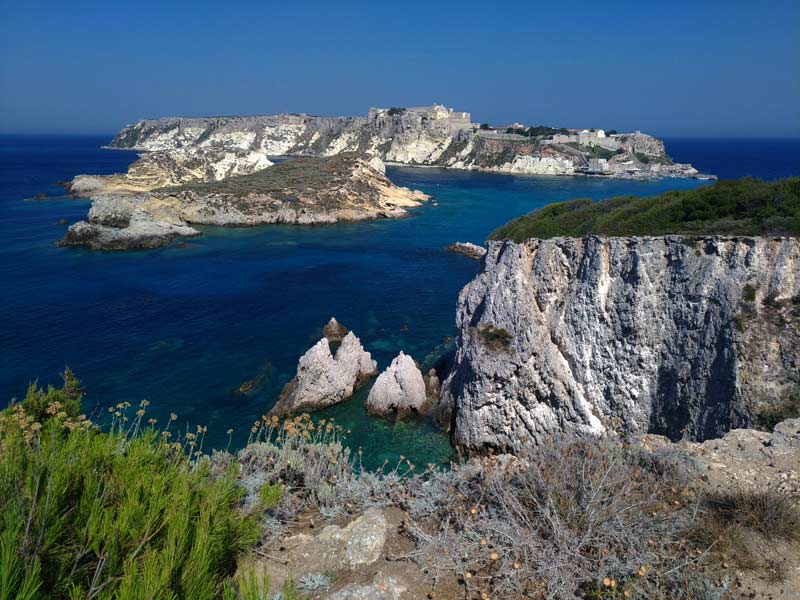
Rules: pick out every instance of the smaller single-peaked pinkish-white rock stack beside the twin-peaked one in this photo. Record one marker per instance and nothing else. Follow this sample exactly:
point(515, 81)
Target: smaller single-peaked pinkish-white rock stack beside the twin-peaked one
point(399, 388)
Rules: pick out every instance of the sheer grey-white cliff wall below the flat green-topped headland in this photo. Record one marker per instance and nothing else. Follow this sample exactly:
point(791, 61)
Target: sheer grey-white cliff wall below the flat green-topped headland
point(668, 335)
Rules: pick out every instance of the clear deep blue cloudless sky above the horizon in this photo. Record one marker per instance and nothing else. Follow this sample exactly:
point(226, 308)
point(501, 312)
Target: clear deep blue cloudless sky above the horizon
point(700, 68)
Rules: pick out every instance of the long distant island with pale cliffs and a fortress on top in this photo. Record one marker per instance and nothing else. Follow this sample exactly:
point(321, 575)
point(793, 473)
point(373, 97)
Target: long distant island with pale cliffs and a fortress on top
point(430, 136)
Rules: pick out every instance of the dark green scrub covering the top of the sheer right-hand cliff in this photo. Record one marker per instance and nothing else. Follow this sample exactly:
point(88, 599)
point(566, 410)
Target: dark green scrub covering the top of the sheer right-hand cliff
point(739, 207)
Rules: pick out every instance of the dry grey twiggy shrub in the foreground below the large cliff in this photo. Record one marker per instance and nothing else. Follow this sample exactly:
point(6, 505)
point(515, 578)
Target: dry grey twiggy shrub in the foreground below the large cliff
point(560, 520)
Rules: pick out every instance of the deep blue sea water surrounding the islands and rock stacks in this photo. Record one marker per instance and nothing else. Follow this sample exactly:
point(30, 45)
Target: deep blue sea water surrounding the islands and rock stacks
point(184, 327)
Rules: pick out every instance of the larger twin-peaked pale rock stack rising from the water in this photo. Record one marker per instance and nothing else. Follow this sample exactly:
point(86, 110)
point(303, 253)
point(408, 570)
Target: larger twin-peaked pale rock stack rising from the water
point(323, 379)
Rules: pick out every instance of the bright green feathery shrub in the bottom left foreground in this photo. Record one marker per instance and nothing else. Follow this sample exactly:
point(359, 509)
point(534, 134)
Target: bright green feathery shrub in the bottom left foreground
point(117, 514)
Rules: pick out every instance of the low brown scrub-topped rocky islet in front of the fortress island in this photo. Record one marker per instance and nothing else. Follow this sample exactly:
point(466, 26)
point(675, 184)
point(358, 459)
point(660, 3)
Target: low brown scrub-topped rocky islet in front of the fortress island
point(346, 187)
